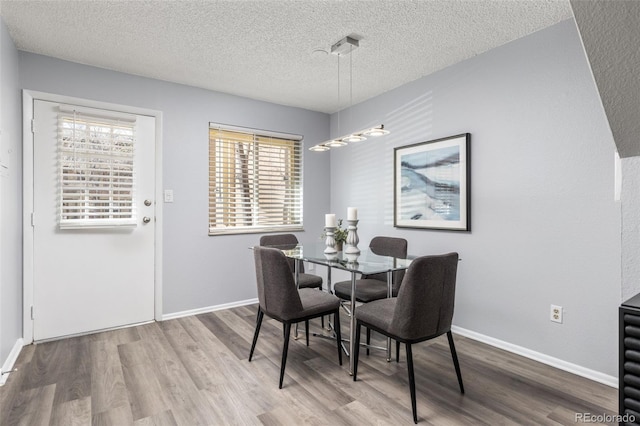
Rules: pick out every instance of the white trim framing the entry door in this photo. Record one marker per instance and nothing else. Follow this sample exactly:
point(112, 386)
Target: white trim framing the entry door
point(28, 98)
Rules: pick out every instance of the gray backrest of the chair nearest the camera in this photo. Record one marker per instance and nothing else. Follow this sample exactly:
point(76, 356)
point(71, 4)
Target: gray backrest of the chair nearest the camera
point(425, 301)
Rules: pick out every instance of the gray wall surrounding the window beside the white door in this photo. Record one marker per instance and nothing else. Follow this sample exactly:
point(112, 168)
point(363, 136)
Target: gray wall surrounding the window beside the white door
point(198, 271)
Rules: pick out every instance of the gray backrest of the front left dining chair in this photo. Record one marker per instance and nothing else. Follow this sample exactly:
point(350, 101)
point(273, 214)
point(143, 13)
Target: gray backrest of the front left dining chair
point(277, 292)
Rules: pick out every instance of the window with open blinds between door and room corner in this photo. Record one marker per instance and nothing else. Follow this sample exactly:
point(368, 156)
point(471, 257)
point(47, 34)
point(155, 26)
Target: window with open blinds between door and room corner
point(255, 181)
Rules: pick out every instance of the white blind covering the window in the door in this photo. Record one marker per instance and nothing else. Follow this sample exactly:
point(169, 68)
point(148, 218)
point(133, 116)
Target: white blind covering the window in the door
point(97, 177)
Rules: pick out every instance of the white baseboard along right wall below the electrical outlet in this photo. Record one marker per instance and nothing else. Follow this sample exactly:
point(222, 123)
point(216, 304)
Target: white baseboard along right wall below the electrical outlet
point(540, 357)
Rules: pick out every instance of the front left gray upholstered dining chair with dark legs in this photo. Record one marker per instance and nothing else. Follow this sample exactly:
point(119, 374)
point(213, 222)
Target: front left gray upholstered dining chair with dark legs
point(280, 299)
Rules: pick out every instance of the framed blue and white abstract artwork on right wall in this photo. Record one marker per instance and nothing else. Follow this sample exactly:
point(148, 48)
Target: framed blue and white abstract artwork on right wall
point(432, 184)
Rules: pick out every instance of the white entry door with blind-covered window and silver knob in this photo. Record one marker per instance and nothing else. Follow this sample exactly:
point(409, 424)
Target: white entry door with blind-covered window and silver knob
point(92, 271)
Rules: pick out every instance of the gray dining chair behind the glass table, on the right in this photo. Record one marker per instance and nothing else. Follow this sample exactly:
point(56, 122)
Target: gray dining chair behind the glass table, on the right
point(374, 287)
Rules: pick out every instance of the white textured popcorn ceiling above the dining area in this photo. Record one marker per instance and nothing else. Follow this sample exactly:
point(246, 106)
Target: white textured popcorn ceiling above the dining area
point(264, 49)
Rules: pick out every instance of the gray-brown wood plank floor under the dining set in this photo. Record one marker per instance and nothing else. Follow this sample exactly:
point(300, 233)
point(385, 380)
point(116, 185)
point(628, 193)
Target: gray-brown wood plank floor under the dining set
point(194, 371)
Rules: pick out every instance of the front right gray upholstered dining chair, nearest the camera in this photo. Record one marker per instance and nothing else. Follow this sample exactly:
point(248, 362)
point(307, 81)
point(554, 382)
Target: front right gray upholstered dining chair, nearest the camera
point(423, 310)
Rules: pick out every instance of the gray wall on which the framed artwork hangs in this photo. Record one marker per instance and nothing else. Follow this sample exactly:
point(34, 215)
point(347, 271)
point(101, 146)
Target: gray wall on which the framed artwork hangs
point(545, 226)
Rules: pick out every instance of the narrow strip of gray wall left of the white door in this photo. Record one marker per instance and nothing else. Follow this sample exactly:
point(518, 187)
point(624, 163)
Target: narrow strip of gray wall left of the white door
point(10, 197)
